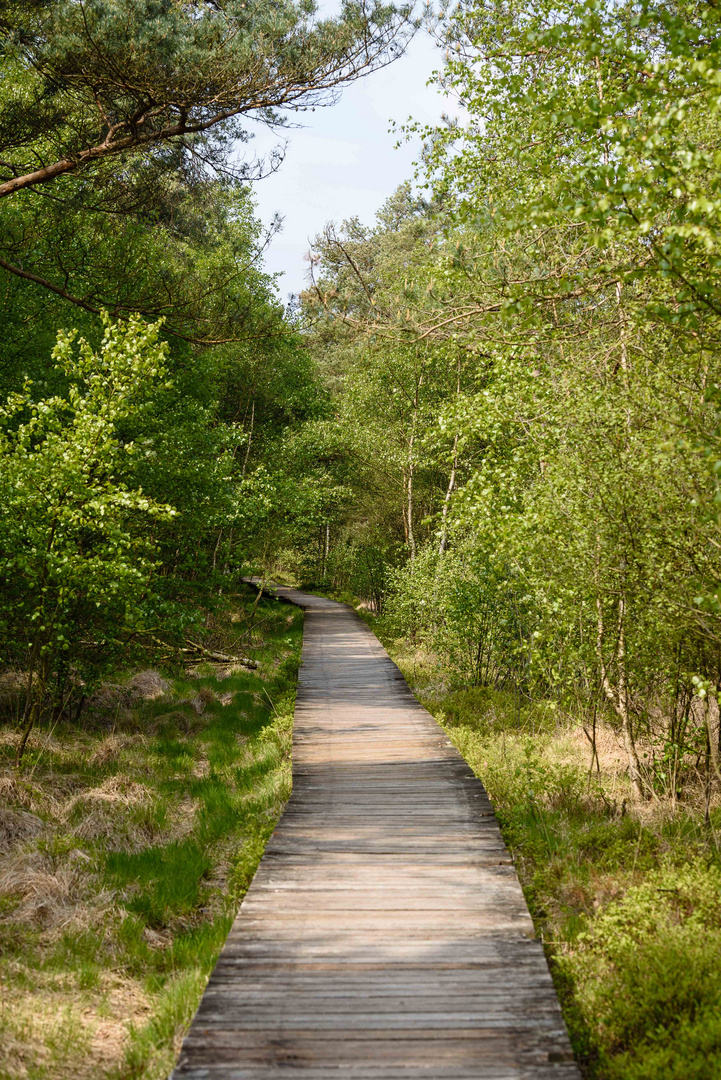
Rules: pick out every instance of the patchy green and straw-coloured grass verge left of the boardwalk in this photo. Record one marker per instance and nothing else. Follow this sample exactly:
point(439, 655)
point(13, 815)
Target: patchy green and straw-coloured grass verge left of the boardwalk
point(126, 845)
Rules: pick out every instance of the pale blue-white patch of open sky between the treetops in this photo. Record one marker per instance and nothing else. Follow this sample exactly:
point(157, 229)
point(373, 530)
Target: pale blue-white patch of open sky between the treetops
point(343, 161)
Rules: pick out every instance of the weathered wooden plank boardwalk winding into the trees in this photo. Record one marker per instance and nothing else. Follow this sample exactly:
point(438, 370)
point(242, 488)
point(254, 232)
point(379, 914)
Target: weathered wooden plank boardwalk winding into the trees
point(385, 935)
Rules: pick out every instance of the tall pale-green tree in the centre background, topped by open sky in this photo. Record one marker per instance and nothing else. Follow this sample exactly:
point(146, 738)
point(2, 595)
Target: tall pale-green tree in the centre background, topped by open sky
point(389, 386)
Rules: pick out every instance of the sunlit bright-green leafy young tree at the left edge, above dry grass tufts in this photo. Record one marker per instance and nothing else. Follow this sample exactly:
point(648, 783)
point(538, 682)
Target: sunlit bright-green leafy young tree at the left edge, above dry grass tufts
point(76, 543)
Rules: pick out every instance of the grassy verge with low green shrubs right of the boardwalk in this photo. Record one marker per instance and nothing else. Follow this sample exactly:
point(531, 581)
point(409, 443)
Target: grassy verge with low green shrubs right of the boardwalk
point(627, 899)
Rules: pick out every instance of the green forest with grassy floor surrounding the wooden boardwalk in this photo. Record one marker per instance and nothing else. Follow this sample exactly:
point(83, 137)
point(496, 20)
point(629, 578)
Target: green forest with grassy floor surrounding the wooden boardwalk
point(492, 423)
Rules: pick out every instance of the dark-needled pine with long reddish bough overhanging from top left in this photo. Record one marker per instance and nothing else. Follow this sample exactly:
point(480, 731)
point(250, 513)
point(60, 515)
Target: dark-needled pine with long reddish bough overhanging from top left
point(104, 102)
